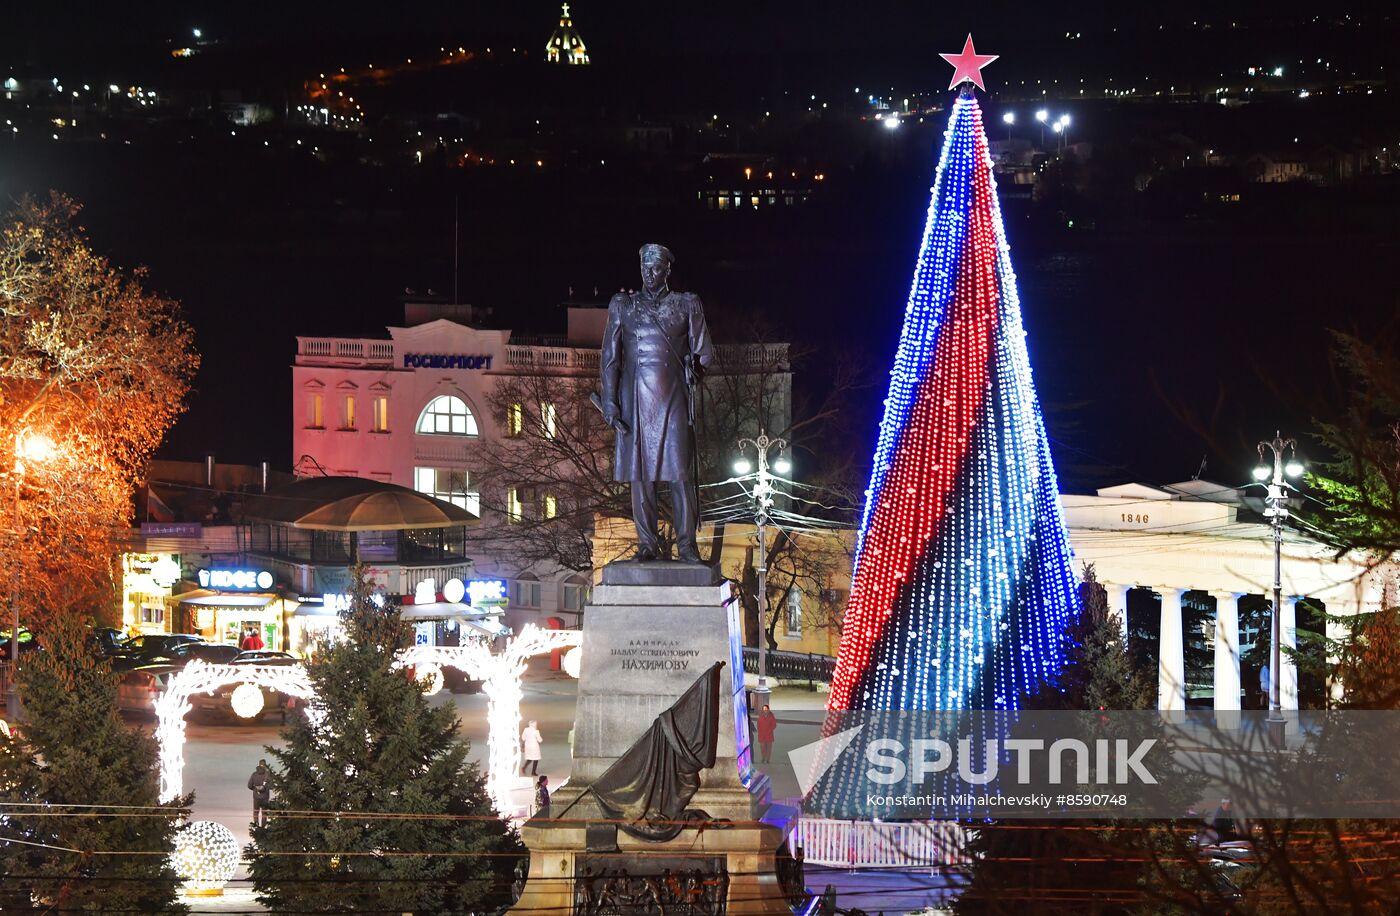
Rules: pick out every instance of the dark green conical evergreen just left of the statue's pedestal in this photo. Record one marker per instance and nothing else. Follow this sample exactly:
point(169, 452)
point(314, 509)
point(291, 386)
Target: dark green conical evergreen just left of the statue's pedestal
point(402, 819)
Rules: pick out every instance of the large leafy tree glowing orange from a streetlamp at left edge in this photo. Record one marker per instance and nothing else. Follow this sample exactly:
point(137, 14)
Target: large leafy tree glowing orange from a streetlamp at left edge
point(94, 370)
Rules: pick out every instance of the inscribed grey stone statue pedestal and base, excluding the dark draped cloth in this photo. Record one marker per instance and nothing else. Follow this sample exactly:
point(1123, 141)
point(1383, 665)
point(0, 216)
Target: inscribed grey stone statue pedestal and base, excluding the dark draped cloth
point(645, 645)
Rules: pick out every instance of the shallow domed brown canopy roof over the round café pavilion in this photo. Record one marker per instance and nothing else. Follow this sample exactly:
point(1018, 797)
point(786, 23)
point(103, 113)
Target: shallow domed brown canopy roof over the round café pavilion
point(355, 505)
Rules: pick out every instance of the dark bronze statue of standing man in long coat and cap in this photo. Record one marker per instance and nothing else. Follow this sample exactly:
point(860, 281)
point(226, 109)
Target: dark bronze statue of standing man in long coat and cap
point(654, 351)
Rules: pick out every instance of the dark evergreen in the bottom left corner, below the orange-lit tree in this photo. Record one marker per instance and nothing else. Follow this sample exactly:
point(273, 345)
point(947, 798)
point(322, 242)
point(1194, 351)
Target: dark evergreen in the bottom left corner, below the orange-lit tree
point(75, 750)
